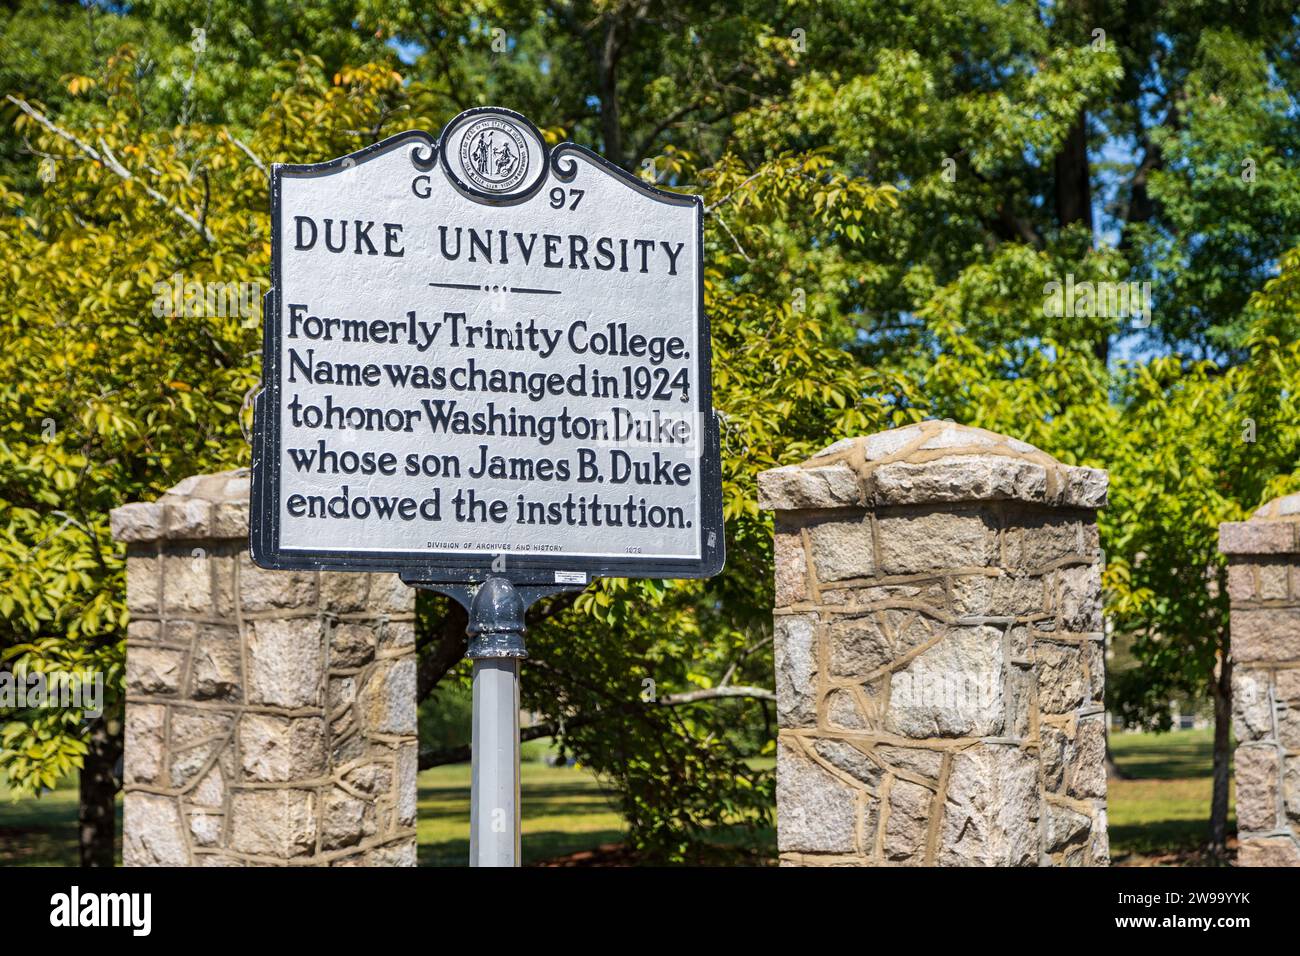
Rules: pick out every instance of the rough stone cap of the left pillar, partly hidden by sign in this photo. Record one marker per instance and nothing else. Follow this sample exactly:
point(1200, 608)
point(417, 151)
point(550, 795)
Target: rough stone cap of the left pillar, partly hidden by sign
point(200, 508)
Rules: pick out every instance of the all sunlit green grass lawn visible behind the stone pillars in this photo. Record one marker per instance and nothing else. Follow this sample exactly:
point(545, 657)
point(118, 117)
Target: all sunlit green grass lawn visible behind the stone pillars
point(1159, 815)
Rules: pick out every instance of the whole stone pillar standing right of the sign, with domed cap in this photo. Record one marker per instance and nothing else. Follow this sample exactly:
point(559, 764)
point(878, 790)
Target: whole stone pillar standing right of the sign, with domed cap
point(939, 654)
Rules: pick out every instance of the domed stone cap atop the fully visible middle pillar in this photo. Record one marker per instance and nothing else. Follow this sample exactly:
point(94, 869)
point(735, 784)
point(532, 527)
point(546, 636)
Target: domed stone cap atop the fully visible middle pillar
point(934, 461)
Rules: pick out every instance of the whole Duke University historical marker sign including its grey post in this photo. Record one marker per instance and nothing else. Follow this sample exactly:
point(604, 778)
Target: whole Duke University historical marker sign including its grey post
point(486, 369)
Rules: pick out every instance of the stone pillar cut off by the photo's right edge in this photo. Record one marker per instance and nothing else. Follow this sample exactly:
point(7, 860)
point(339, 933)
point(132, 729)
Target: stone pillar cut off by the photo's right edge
point(1264, 587)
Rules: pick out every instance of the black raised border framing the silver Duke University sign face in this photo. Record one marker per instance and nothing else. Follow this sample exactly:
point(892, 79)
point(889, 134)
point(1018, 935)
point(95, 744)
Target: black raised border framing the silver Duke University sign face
point(458, 568)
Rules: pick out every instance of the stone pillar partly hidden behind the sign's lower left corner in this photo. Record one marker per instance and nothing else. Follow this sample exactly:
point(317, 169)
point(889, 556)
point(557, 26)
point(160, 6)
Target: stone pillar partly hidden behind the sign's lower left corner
point(271, 716)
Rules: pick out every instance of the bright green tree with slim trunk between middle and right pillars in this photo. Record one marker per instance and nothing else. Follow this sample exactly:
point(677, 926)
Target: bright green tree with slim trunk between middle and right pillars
point(1189, 445)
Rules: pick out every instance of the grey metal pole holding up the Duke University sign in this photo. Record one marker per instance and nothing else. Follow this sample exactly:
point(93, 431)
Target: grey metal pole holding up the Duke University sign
point(496, 647)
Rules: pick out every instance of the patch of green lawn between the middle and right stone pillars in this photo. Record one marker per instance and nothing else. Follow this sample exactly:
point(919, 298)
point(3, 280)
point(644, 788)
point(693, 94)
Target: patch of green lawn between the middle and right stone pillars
point(1163, 806)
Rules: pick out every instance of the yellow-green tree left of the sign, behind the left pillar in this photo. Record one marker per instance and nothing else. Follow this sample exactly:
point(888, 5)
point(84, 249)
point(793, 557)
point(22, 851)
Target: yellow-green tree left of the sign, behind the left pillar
point(109, 400)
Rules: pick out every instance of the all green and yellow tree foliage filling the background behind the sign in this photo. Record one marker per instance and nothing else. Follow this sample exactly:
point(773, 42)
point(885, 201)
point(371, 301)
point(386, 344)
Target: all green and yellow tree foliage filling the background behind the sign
point(890, 193)
